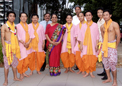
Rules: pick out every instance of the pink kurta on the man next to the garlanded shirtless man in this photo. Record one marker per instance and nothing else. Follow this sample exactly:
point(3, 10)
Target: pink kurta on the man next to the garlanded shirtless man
point(21, 34)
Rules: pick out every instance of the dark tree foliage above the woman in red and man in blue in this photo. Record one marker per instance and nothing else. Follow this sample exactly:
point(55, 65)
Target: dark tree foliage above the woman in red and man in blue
point(51, 6)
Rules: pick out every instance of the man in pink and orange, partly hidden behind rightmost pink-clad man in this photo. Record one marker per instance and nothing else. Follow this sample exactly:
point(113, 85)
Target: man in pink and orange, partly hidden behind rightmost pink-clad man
point(78, 30)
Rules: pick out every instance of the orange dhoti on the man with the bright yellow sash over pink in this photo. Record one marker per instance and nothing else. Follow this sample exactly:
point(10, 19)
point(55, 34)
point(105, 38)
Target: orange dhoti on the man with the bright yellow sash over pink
point(68, 59)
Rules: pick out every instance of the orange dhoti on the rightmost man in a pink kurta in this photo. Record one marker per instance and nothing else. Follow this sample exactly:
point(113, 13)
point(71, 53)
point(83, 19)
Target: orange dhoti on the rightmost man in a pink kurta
point(89, 63)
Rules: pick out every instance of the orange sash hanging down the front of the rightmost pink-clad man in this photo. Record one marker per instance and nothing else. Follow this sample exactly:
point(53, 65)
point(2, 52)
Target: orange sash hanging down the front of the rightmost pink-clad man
point(87, 40)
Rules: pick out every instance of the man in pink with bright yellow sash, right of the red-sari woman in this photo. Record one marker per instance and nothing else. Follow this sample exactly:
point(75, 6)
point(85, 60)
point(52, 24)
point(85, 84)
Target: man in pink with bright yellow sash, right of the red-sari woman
point(67, 52)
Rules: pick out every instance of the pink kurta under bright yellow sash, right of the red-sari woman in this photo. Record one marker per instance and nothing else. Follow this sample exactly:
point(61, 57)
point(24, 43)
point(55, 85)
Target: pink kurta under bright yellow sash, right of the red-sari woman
point(64, 46)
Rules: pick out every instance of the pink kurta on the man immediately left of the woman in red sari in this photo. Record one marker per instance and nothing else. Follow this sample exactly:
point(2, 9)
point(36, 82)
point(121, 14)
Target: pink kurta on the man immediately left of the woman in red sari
point(41, 34)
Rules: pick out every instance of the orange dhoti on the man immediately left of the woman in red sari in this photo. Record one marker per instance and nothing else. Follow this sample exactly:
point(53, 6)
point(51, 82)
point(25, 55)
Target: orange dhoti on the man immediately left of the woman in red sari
point(36, 60)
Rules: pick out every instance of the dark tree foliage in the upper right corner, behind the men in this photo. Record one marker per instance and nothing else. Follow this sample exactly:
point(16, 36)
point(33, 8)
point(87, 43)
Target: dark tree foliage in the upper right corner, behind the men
point(114, 5)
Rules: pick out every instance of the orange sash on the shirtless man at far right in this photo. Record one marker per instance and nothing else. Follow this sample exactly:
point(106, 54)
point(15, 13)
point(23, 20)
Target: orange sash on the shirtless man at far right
point(105, 42)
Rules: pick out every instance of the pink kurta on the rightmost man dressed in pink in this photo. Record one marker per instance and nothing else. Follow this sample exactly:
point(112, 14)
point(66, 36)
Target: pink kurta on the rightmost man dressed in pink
point(94, 37)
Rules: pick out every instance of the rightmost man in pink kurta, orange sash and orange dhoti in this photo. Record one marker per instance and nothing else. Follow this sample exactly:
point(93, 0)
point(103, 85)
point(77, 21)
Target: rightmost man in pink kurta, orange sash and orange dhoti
point(88, 43)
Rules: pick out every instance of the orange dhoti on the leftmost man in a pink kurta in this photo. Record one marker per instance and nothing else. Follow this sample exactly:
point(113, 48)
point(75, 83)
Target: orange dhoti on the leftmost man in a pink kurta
point(23, 65)
